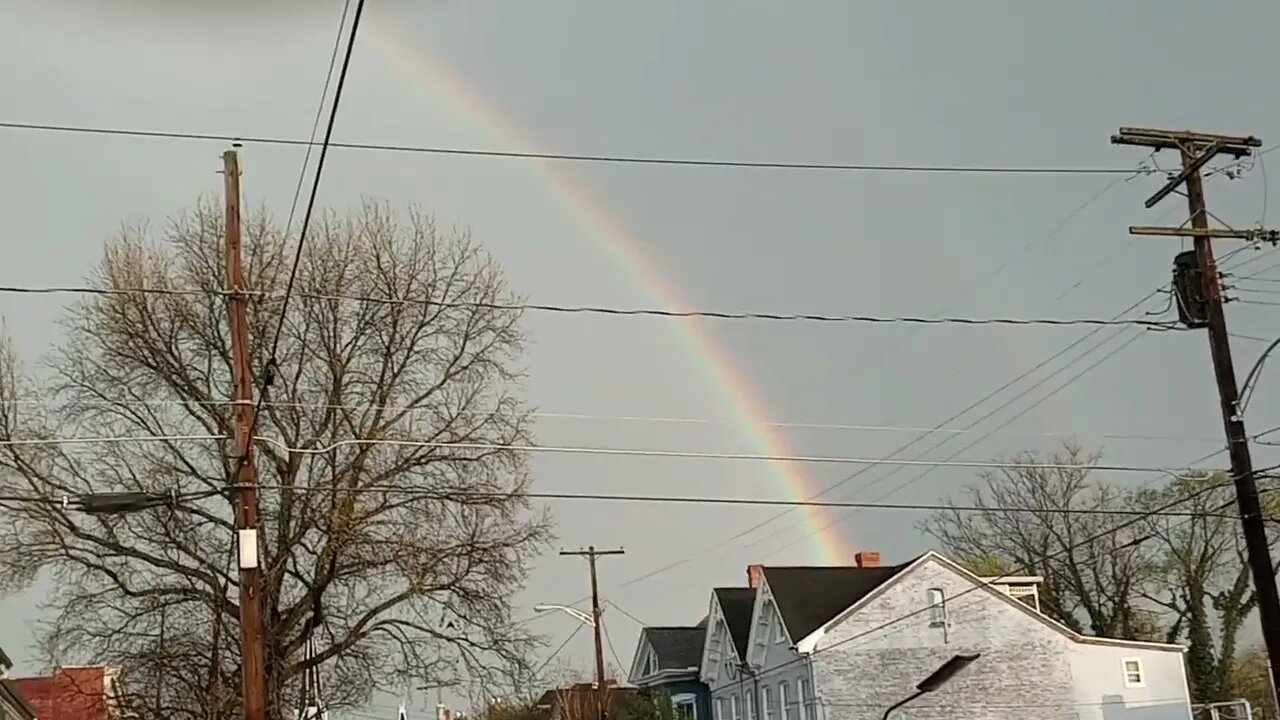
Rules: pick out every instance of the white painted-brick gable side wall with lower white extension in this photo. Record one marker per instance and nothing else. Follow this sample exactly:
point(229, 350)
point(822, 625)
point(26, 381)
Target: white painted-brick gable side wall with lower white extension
point(1027, 669)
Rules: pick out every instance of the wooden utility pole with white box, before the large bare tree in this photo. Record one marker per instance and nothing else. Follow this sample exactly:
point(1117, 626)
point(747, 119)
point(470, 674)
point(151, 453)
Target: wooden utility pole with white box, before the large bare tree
point(245, 491)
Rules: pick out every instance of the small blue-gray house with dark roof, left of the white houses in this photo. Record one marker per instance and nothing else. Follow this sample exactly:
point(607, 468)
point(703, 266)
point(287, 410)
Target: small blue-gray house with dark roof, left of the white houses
point(669, 659)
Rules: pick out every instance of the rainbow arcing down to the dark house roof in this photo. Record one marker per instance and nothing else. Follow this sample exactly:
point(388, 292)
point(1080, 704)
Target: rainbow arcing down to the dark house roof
point(749, 414)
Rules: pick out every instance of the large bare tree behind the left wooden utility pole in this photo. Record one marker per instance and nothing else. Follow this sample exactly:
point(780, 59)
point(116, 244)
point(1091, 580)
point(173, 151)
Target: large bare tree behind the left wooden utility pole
point(388, 543)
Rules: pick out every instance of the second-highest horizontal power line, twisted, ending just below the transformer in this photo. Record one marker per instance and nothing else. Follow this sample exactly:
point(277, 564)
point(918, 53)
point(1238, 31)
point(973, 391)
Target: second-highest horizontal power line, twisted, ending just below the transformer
point(627, 312)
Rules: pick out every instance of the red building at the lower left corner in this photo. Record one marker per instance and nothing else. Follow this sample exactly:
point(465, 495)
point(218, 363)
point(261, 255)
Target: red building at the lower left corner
point(74, 694)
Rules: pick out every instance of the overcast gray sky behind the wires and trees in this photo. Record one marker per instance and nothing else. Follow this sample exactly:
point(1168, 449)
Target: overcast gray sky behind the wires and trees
point(906, 83)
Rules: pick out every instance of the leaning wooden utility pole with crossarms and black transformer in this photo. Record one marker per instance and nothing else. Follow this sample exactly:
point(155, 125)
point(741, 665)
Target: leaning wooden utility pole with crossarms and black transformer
point(1200, 295)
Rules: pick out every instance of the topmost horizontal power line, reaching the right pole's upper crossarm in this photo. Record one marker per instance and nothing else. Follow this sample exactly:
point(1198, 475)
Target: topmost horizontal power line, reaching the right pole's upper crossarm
point(578, 158)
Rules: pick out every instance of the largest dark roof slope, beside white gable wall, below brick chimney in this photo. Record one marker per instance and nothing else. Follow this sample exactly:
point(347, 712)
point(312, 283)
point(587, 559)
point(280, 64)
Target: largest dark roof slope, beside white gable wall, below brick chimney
point(810, 598)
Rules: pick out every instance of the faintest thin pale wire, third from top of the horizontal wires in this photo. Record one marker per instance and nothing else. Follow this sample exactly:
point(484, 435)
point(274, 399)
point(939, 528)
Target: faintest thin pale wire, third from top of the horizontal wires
point(53, 403)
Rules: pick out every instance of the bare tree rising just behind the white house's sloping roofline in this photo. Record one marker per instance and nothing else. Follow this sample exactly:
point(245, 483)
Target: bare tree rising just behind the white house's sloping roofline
point(1094, 576)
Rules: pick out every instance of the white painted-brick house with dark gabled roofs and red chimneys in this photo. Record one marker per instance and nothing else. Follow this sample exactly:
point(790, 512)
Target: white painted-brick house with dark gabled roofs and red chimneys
point(849, 644)
